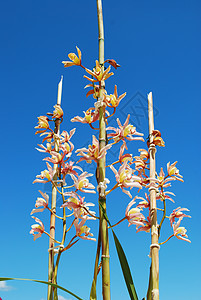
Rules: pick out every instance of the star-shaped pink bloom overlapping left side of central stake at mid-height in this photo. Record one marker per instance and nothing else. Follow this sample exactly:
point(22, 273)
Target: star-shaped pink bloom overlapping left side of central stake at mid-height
point(93, 152)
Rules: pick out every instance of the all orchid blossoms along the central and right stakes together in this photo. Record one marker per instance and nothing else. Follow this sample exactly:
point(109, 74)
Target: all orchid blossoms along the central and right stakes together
point(126, 176)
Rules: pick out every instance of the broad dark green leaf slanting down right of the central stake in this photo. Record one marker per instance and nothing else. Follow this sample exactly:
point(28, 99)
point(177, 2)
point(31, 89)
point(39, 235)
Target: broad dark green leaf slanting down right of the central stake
point(125, 269)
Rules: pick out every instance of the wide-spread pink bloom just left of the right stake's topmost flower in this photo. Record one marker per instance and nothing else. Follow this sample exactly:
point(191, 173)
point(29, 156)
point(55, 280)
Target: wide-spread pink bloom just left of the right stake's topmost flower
point(124, 132)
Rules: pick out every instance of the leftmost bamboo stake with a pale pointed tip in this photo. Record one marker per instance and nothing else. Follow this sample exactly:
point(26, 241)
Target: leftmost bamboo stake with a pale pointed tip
point(53, 204)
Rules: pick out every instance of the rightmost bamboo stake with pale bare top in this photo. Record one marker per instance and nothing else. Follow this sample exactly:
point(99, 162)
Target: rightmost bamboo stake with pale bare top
point(153, 290)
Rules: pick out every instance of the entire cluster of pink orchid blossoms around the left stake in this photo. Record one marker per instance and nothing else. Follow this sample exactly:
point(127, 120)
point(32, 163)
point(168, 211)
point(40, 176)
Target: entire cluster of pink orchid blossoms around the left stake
point(60, 149)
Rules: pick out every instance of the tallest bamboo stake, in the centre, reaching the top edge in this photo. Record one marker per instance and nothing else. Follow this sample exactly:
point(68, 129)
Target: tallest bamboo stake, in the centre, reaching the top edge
point(101, 166)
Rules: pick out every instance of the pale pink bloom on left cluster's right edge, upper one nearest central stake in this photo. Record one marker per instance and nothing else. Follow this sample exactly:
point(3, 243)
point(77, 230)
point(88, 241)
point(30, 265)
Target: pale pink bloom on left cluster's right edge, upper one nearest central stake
point(82, 183)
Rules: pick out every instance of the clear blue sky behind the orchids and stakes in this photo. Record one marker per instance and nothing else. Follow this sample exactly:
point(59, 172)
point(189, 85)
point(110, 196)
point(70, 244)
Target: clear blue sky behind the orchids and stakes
point(157, 44)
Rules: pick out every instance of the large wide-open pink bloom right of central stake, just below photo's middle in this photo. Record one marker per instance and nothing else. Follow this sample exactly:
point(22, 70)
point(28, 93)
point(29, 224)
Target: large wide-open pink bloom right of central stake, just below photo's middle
point(125, 178)
